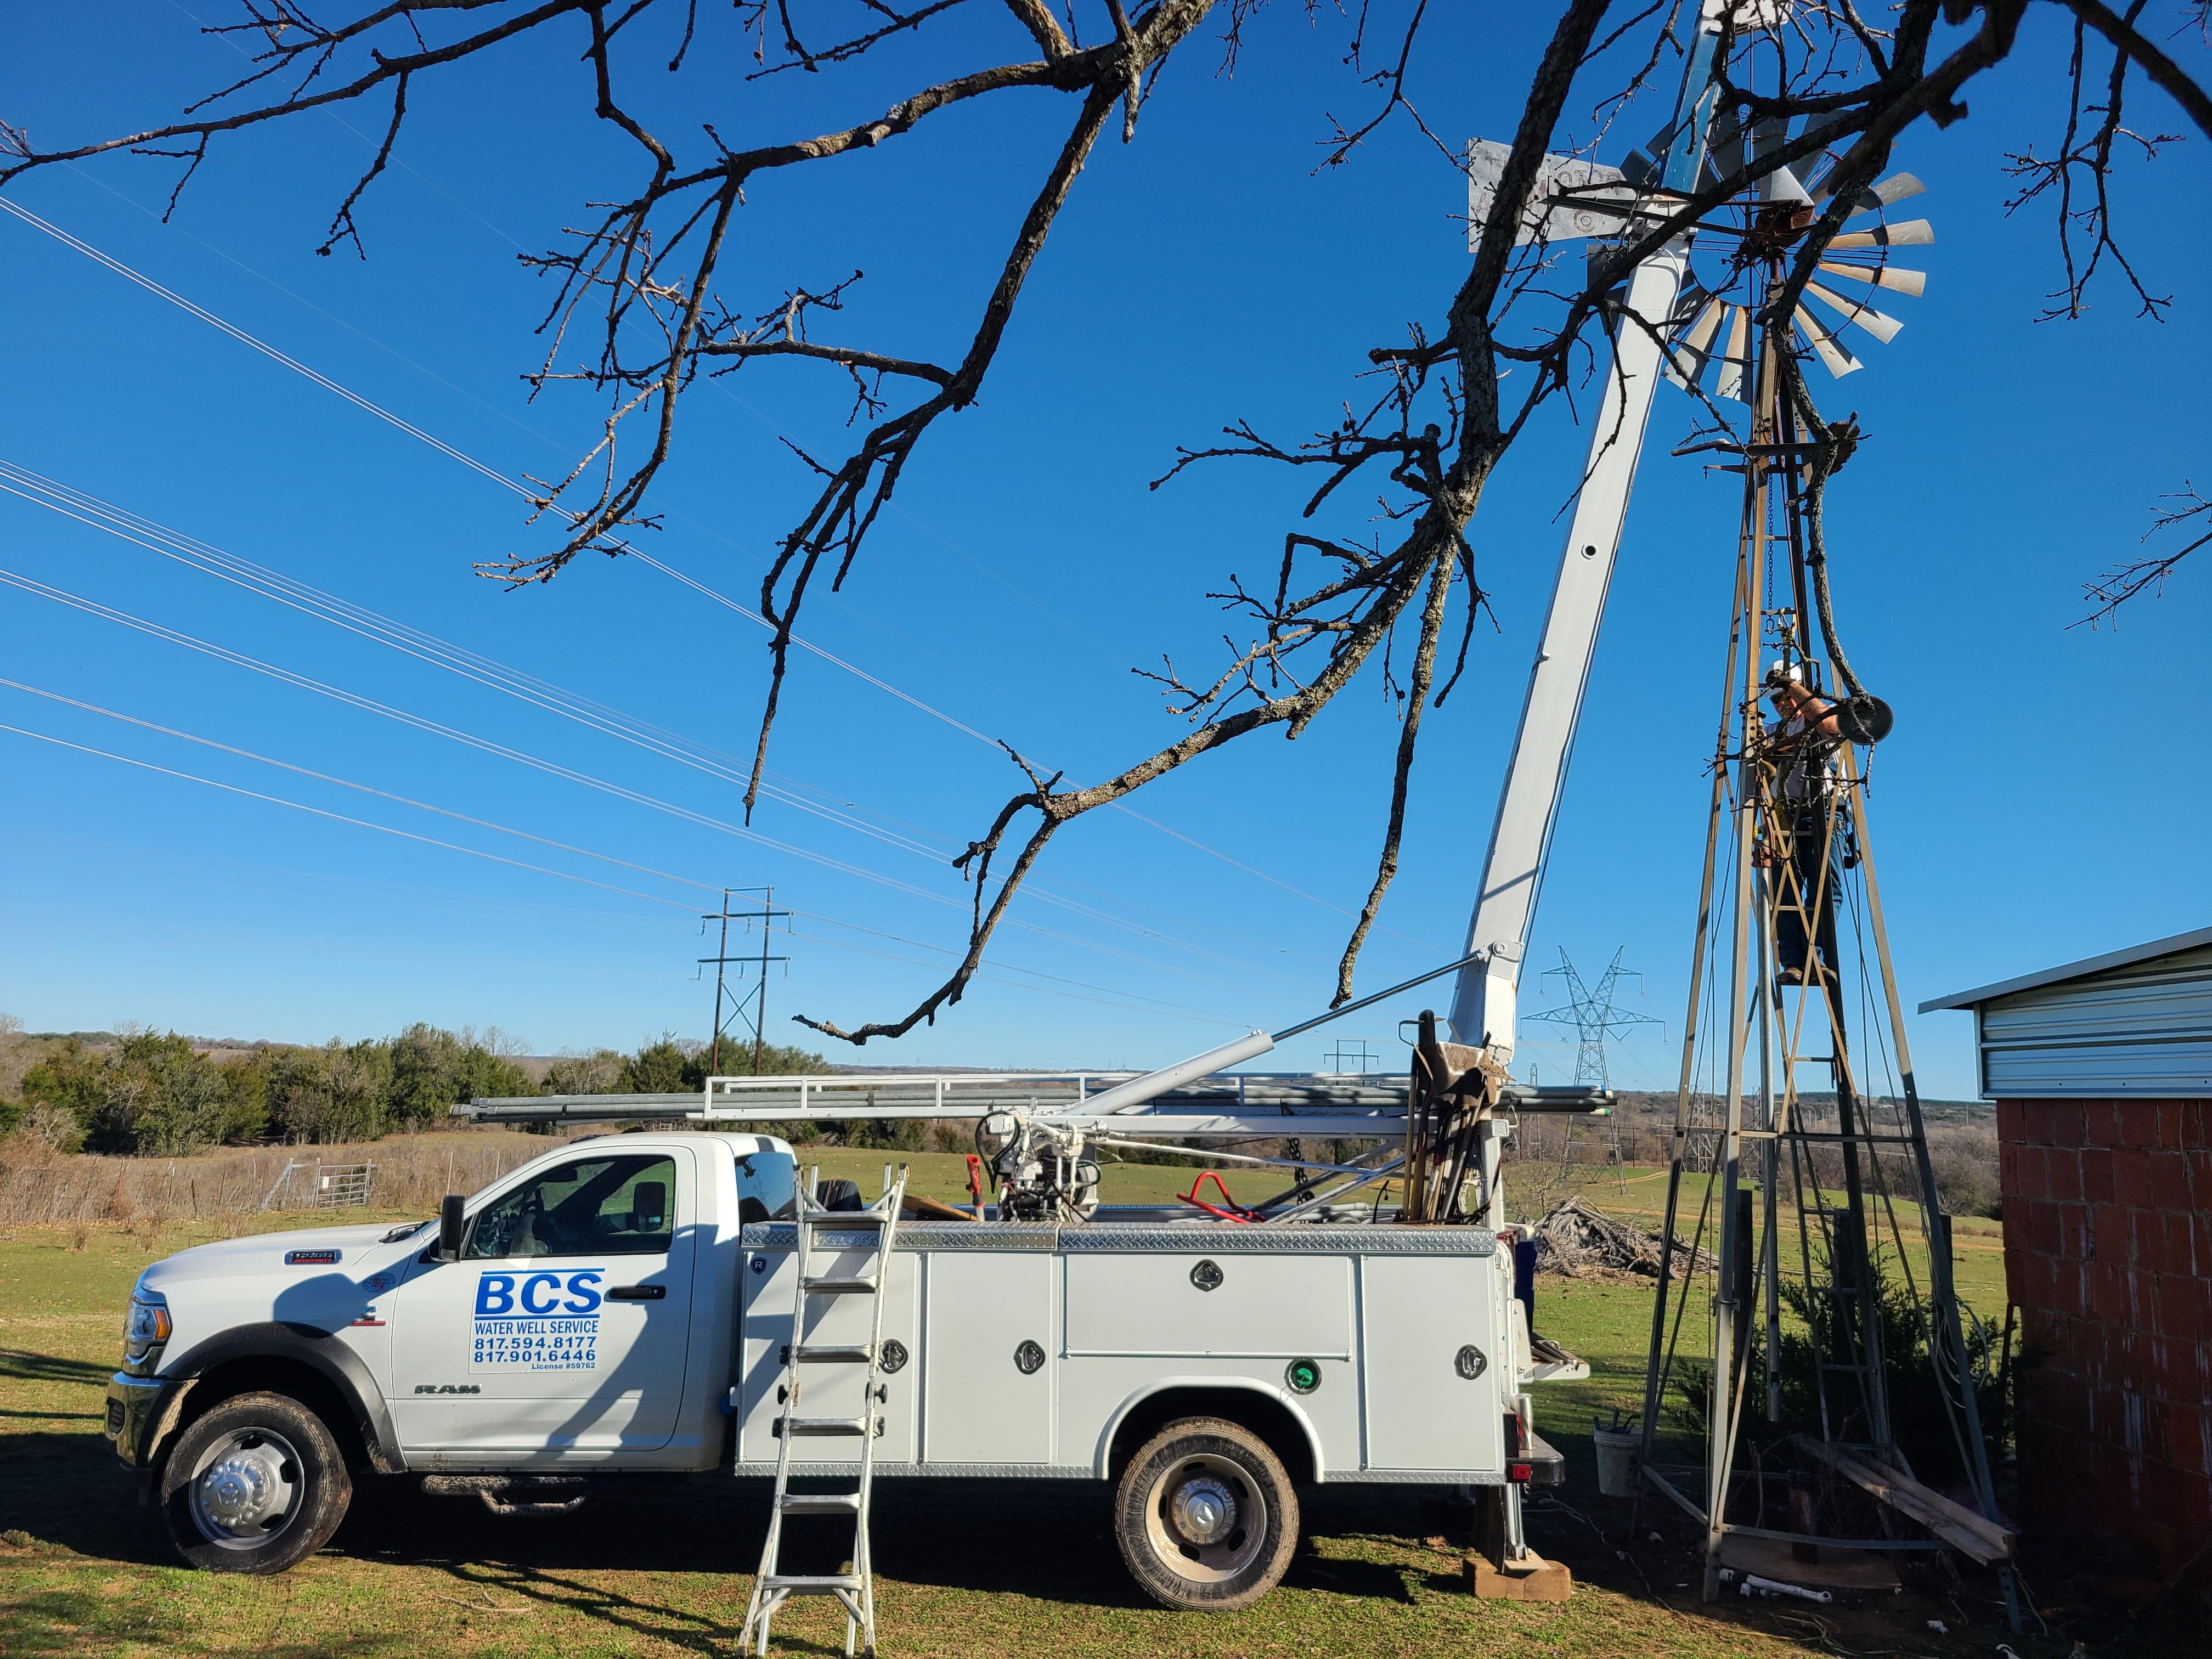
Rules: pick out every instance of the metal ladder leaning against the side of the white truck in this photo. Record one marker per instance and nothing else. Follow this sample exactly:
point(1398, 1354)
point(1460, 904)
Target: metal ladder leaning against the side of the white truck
point(853, 1589)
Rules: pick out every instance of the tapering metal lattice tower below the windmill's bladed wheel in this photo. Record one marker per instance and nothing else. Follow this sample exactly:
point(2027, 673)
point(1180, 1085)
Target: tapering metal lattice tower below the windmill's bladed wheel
point(1795, 802)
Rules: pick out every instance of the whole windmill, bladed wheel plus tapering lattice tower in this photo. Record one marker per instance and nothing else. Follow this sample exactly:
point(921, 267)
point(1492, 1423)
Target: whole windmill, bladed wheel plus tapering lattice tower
point(1791, 828)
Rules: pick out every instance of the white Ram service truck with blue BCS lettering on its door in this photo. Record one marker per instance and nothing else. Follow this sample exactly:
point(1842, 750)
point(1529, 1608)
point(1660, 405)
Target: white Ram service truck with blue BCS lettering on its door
point(616, 1313)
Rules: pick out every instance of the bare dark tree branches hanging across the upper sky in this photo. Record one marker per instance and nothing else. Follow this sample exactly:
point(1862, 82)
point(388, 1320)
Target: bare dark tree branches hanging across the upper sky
point(640, 302)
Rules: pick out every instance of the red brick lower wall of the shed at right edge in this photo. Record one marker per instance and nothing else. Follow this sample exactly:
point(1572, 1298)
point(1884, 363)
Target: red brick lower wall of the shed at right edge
point(2109, 1258)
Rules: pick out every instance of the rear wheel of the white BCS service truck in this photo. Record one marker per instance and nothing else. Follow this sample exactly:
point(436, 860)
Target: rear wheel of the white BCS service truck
point(1207, 1519)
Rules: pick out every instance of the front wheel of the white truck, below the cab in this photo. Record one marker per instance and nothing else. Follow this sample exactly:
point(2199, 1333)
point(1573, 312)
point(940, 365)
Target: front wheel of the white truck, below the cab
point(255, 1485)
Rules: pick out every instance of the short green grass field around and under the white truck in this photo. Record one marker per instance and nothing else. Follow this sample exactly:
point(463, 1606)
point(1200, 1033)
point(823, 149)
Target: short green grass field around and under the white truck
point(963, 1569)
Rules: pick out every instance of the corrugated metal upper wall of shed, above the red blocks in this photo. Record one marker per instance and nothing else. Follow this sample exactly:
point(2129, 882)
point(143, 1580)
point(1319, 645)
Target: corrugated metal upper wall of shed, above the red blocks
point(2142, 1030)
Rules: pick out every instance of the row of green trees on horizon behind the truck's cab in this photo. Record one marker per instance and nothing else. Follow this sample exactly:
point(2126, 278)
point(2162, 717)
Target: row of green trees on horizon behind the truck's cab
point(163, 1096)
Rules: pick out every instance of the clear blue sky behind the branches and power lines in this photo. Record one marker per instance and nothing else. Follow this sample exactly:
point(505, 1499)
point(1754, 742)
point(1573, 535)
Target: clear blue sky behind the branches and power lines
point(2043, 797)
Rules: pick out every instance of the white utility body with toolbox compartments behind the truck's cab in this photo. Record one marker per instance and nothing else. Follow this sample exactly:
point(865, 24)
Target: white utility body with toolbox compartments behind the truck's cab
point(1030, 1350)
